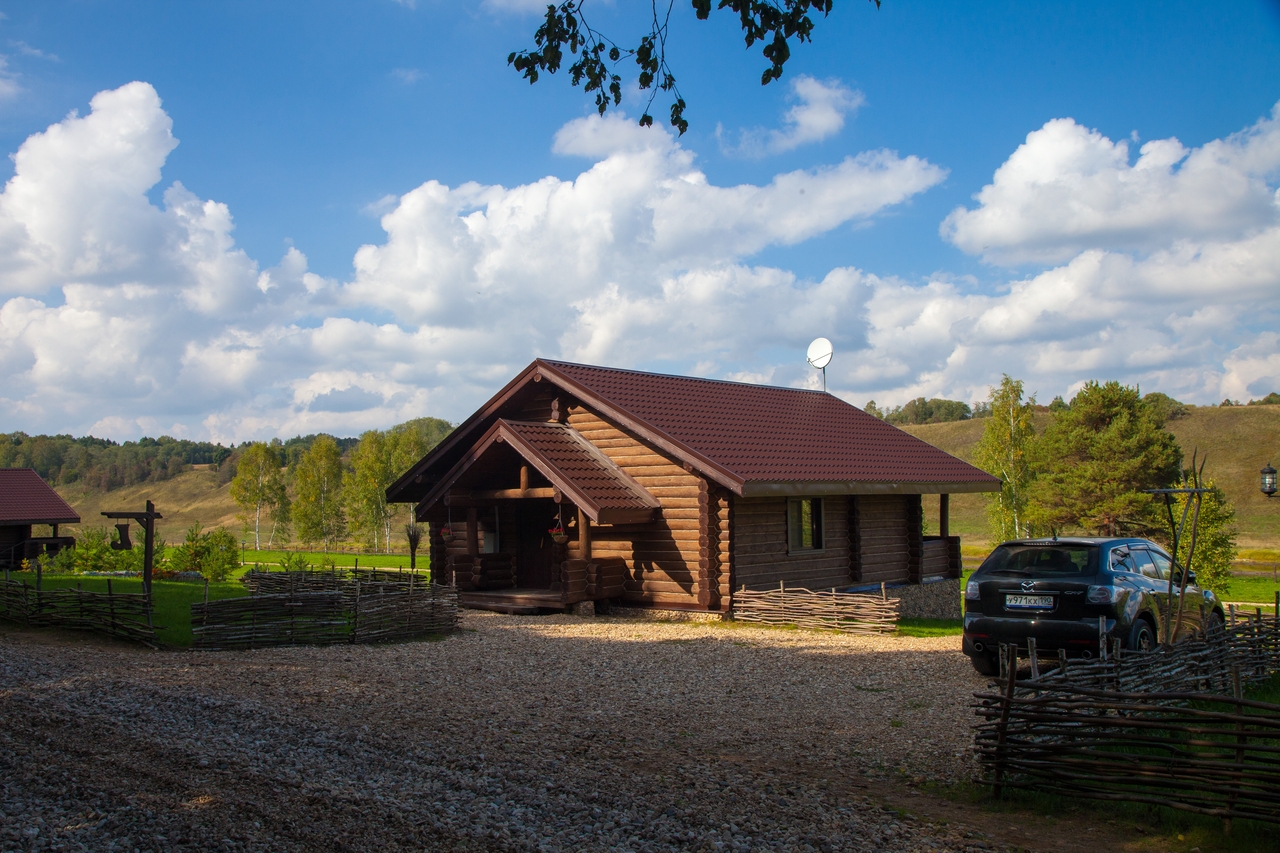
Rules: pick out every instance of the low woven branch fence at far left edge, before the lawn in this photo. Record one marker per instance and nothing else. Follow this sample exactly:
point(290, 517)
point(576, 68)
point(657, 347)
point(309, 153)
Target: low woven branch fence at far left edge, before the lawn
point(124, 615)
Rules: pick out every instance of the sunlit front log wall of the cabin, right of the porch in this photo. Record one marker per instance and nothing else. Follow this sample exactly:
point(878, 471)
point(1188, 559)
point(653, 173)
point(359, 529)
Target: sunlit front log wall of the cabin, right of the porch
point(665, 559)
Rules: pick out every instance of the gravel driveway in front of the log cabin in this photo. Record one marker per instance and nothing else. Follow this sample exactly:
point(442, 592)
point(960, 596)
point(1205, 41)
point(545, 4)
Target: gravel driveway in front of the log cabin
point(551, 733)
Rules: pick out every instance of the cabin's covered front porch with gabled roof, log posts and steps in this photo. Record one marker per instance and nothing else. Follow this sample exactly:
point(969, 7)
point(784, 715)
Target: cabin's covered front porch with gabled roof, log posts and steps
point(511, 526)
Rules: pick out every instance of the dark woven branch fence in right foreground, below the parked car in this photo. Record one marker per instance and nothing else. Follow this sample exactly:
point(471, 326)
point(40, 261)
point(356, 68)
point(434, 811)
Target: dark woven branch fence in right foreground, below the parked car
point(1168, 728)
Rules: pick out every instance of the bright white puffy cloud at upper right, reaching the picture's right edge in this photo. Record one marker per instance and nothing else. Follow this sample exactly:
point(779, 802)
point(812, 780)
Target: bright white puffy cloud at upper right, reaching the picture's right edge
point(1068, 189)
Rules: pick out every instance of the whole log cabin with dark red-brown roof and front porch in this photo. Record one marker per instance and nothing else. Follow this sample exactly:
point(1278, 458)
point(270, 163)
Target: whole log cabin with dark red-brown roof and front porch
point(582, 483)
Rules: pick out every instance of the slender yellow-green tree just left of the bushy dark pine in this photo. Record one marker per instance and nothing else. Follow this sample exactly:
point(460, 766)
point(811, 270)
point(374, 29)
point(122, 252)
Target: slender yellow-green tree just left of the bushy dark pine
point(1004, 453)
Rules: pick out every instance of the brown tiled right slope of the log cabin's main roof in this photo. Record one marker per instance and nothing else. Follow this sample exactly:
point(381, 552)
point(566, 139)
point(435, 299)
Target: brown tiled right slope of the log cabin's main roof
point(767, 437)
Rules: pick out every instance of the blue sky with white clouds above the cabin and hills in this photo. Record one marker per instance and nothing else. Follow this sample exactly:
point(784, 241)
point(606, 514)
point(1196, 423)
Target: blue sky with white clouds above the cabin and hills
point(309, 122)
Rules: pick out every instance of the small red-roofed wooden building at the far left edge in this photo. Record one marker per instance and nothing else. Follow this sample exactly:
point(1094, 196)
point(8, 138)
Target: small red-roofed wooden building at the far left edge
point(26, 501)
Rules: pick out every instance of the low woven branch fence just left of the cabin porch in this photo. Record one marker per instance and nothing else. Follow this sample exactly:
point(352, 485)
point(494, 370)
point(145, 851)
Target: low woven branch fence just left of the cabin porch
point(323, 610)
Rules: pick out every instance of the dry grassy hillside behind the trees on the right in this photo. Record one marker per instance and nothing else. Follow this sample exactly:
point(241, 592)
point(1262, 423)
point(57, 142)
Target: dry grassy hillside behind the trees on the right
point(1238, 440)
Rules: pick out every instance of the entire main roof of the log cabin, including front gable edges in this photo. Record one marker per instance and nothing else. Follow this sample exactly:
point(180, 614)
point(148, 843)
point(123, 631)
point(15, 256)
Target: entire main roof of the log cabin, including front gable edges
point(755, 440)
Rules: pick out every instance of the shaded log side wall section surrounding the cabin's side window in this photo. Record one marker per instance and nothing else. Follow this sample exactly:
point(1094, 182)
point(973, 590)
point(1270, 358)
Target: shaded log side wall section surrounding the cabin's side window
point(761, 558)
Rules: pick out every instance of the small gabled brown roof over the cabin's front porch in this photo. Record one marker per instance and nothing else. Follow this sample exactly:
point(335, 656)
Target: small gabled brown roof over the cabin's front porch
point(575, 467)
